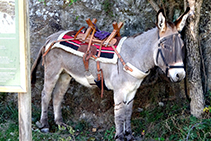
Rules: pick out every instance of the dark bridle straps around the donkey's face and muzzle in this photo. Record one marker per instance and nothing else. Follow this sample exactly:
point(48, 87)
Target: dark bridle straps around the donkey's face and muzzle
point(161, 53)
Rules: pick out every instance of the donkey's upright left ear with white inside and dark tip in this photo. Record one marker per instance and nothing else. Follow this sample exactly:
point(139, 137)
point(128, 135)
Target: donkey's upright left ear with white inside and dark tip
point(161, 20)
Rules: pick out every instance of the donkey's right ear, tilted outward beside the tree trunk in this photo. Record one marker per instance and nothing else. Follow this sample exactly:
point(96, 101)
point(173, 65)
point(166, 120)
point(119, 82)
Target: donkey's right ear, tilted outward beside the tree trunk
point(180, 22)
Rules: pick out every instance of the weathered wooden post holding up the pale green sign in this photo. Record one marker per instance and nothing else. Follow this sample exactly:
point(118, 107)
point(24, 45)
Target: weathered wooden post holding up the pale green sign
point(24, 98)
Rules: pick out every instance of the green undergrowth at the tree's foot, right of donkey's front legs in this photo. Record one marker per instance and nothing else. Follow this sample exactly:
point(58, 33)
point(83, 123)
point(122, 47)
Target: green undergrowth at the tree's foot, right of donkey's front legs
point(166, 124)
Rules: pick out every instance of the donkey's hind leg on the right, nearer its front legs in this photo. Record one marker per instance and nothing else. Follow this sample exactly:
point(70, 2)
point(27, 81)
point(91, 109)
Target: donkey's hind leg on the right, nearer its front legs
point(58, 94)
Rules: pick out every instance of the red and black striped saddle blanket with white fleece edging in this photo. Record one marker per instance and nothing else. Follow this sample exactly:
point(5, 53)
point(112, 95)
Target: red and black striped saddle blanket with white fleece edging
point(107, 53)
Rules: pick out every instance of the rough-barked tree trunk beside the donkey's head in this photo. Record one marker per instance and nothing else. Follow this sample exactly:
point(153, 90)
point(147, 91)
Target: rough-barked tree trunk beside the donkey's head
point(194, 60)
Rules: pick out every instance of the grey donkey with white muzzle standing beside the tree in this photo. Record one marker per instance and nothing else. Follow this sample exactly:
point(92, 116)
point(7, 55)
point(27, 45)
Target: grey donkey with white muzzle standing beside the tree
point(160, 46)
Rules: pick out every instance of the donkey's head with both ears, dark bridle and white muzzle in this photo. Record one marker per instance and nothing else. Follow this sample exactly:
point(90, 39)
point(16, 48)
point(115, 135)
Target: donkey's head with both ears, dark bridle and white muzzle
point(169, 56)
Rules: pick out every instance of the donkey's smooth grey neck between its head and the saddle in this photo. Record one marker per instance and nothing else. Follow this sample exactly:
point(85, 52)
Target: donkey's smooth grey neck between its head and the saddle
point(140, 50)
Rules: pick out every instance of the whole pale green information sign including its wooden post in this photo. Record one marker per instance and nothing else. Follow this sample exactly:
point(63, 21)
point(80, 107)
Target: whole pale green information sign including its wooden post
point(15, 59)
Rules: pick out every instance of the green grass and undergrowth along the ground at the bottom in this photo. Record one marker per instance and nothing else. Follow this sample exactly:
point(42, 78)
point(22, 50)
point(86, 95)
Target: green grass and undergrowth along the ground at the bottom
point(172, 122)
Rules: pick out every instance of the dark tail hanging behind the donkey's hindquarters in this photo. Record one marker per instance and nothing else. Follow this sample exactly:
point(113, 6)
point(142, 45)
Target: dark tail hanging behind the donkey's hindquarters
point(35, 65)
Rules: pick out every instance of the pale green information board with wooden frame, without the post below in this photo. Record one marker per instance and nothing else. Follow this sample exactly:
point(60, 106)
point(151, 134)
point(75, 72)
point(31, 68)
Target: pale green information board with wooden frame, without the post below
point(13, 42)
